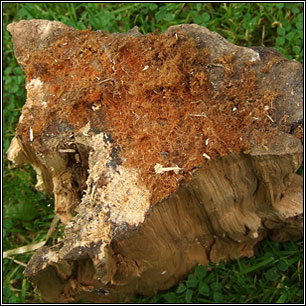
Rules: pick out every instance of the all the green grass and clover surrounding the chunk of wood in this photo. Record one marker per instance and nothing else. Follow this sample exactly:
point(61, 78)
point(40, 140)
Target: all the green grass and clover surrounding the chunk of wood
point(275, 273)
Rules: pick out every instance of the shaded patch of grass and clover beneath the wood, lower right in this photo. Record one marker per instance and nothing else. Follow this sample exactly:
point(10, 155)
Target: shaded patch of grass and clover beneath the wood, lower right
point(271, 276)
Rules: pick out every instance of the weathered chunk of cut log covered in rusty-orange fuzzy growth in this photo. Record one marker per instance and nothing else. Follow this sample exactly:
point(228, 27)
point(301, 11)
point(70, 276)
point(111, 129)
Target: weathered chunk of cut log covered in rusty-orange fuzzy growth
point(162, 152)
